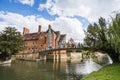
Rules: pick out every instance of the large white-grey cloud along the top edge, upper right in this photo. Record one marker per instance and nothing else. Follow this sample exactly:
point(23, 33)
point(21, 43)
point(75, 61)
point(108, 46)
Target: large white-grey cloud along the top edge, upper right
point(90, 9)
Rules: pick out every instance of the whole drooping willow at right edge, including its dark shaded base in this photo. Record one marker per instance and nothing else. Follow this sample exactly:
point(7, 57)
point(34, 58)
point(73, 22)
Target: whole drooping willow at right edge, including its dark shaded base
point(113, 37)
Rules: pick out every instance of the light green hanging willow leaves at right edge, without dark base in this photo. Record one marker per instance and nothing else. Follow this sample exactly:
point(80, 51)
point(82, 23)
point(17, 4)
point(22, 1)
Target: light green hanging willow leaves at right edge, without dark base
point(114, 34)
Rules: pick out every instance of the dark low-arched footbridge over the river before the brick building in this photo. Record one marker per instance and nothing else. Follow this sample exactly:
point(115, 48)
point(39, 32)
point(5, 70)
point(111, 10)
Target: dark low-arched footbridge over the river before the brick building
point(60, 49)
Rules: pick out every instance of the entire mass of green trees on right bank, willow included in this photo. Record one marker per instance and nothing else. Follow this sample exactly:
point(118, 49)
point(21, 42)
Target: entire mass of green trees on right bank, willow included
point(101, 37)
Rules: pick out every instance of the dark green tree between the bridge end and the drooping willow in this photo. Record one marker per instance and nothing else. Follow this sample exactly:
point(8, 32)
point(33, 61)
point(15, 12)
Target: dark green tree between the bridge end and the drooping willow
point(95, 35)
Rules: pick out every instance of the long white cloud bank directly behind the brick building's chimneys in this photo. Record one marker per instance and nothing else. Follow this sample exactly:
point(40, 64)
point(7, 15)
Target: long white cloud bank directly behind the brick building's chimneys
point(70, 26)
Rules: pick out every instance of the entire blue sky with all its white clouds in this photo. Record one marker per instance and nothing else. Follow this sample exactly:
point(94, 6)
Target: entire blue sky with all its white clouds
point(70, 17)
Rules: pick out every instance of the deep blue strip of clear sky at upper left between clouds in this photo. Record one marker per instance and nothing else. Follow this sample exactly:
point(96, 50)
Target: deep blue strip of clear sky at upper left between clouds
point(24, 9)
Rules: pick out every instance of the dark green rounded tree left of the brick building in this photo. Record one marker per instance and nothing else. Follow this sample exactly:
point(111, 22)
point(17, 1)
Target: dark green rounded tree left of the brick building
point(11, 41)
